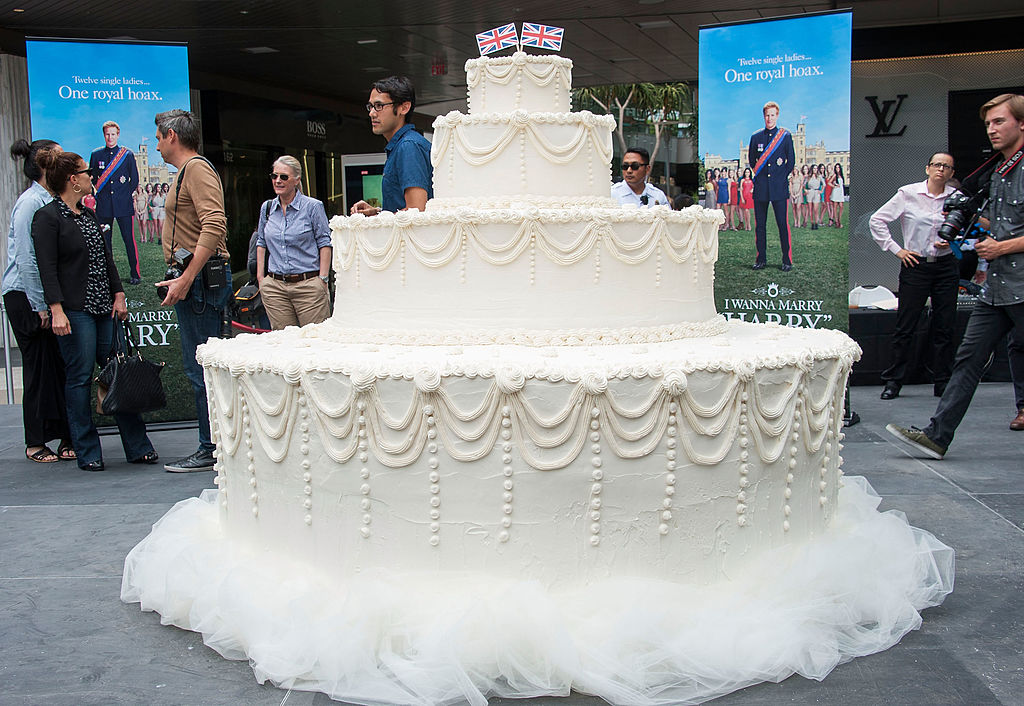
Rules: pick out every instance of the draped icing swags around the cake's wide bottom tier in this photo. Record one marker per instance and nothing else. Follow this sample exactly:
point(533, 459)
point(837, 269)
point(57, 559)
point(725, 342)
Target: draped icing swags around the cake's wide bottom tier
point(268, 414)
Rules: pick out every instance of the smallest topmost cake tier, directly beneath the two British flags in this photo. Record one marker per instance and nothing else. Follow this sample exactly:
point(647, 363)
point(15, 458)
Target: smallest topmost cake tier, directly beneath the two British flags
point(522, 81)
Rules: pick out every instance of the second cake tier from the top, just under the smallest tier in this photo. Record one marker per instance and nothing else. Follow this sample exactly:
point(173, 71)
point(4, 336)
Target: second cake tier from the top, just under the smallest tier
point(521, 153)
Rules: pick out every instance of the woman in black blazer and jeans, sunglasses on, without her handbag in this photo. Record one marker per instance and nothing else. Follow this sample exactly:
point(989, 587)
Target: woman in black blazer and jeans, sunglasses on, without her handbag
point(83, 290)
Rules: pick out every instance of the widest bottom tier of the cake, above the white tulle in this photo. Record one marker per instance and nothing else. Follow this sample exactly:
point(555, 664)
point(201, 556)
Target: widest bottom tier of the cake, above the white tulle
point(673, 461)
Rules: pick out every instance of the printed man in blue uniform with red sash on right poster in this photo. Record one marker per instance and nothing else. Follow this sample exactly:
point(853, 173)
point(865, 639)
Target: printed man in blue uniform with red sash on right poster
point(773, 157)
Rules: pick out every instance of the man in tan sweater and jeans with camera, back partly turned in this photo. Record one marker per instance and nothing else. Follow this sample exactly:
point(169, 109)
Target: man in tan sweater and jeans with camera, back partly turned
point(197, 282)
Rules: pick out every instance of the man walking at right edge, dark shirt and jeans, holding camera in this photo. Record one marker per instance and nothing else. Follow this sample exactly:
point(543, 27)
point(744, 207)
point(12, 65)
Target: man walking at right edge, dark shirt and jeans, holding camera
point(1001, 307)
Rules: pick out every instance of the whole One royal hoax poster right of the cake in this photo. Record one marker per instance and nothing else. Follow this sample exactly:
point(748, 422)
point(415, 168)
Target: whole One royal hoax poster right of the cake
point(775, 138)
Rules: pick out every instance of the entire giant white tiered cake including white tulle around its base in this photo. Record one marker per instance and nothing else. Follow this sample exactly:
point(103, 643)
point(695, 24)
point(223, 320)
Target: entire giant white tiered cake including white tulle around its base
point(527, 455)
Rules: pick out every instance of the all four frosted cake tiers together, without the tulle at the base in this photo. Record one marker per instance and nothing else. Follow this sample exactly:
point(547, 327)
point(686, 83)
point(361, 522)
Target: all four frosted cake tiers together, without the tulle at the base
point(544, 393)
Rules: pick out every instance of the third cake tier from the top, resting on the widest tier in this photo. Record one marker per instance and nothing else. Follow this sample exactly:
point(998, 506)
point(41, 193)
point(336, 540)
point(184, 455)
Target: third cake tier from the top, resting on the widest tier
point(527, 275)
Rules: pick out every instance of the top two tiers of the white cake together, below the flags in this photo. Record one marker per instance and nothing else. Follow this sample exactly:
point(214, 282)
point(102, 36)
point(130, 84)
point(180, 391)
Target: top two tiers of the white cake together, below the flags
point(521, 144)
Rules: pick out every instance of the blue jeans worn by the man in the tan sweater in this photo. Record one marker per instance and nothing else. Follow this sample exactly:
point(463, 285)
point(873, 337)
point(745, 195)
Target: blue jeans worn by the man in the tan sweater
point(200, 318)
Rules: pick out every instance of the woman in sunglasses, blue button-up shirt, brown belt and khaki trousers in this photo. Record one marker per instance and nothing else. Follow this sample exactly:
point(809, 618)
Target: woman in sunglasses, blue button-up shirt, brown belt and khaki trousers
point(293, 252)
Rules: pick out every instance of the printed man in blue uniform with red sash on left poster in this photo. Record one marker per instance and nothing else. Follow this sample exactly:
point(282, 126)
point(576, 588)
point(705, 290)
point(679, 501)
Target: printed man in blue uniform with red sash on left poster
point(116, 178)
